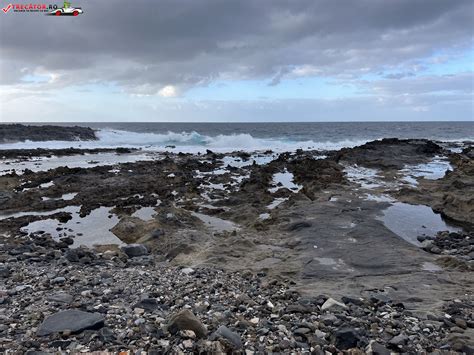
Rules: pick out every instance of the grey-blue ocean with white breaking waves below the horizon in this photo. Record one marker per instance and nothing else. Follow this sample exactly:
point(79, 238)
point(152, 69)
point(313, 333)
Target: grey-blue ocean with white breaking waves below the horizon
point(222, 137)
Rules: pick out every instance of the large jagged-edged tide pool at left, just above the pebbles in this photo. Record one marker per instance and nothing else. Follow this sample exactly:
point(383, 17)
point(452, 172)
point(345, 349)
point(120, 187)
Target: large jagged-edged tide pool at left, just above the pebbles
point(95, 227)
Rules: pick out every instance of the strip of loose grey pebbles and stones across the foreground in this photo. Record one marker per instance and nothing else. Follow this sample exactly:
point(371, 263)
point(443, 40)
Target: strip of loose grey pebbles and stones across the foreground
point(137, 303)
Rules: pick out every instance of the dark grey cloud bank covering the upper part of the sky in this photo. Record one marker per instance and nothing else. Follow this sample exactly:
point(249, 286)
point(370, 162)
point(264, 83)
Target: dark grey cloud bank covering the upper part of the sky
point(144, 46)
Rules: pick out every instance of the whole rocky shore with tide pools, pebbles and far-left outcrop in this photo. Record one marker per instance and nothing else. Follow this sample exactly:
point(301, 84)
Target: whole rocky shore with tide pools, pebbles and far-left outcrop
point(367, 249)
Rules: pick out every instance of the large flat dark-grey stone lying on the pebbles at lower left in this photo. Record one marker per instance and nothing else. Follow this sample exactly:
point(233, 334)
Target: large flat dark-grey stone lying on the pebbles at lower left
point(71, 320)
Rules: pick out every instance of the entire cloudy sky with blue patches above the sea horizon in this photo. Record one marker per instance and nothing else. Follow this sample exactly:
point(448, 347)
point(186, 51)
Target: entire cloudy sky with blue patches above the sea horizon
point(244, 61)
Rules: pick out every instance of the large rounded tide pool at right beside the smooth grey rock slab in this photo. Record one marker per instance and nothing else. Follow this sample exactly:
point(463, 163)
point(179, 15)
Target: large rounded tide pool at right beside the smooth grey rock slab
point(409, 221)
